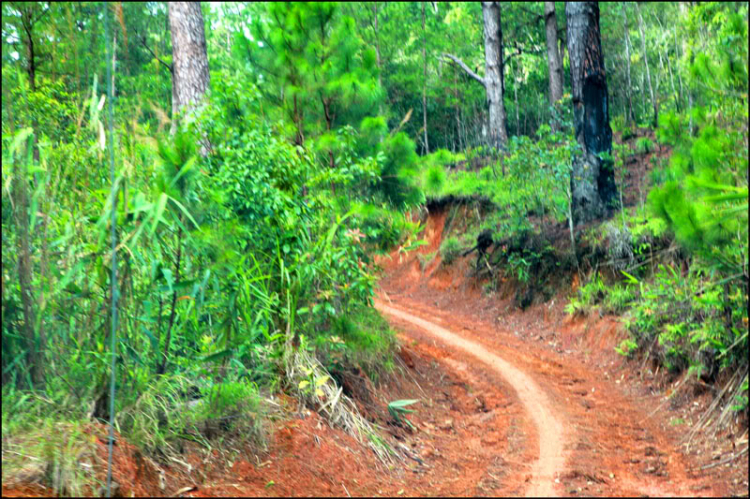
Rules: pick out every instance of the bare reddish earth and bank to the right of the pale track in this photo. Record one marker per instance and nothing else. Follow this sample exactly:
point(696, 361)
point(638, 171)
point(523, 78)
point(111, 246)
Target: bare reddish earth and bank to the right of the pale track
point(622, 431)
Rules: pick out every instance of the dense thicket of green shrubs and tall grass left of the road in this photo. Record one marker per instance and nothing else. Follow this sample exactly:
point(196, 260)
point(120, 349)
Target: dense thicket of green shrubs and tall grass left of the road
point(221, 260)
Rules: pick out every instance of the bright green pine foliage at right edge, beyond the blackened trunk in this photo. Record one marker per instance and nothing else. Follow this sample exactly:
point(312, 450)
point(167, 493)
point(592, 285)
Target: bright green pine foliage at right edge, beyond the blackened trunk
point(705, 198)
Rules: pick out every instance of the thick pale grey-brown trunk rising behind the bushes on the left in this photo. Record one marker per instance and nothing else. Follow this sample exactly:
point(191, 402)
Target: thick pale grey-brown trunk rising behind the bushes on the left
point(190, 77)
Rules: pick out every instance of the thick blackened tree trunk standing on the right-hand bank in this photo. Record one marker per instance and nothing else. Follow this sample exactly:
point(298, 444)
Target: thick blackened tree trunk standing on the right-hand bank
point(592, 180)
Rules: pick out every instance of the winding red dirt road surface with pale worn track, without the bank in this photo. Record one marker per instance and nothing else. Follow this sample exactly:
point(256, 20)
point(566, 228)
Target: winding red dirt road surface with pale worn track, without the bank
point(586, 431)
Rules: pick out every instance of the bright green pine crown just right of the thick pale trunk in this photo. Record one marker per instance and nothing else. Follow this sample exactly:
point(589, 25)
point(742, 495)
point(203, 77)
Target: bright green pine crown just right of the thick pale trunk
point(311, 64)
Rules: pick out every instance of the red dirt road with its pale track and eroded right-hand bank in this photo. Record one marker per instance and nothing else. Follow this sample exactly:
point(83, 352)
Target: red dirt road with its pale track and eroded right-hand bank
point(581, 419)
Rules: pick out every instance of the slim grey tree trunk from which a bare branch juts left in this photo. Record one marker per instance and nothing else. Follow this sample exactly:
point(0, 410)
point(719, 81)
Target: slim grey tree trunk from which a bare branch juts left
point(493, 73)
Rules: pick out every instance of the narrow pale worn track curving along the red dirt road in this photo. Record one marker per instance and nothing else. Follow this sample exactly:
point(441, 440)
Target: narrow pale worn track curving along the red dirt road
point(534, 399)
